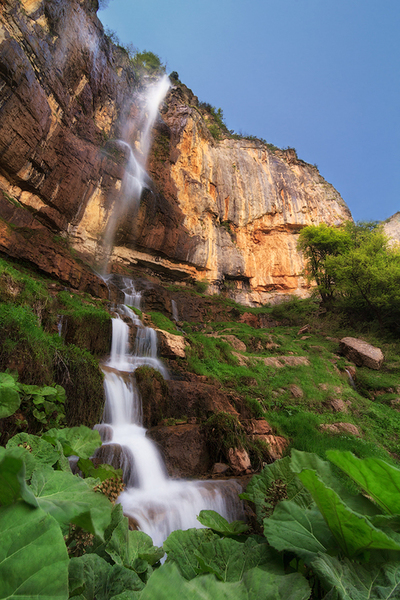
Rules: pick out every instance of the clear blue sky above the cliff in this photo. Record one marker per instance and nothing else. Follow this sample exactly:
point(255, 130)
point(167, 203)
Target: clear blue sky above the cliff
point(322, 76)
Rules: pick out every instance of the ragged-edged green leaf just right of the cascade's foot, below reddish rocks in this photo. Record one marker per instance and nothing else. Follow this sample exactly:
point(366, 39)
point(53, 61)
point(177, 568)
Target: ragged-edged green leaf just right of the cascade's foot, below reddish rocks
point(263, 488)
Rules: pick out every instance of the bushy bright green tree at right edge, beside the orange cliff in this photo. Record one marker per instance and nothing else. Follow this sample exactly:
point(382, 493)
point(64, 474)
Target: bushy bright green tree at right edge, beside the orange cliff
point(355, 268)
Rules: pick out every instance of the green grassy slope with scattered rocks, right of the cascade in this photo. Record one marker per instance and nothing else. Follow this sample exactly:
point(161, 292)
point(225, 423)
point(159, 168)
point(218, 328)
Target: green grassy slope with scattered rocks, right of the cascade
point(267, 390)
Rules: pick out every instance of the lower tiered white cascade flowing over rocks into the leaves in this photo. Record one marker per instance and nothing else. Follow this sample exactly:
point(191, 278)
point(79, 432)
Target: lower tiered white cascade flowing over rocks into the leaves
point(157, 504)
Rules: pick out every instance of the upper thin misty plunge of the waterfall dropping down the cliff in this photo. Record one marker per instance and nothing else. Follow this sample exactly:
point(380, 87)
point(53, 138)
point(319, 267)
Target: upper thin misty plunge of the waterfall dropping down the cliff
point(136, 142)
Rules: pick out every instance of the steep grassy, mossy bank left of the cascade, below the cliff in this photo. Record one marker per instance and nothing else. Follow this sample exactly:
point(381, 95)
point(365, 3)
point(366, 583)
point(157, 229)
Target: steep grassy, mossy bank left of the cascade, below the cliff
point(50, 337)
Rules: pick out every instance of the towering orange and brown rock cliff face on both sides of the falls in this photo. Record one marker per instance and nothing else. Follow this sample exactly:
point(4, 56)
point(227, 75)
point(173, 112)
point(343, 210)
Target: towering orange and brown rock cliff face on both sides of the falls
point(228, 211)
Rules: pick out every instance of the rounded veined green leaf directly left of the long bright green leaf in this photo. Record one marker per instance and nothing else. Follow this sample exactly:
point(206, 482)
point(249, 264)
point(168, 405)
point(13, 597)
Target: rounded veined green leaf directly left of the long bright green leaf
point(299, 530)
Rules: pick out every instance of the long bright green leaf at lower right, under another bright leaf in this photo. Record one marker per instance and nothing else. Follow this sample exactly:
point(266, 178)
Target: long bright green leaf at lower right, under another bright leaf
point(354, 532)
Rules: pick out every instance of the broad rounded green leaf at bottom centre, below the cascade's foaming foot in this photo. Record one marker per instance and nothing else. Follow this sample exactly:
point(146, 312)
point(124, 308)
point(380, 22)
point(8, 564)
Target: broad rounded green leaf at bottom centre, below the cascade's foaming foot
point(229, 559)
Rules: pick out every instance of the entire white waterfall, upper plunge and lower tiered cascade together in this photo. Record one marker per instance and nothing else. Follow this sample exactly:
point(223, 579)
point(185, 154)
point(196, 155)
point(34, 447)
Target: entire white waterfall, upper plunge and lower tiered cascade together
point(157, 504)
